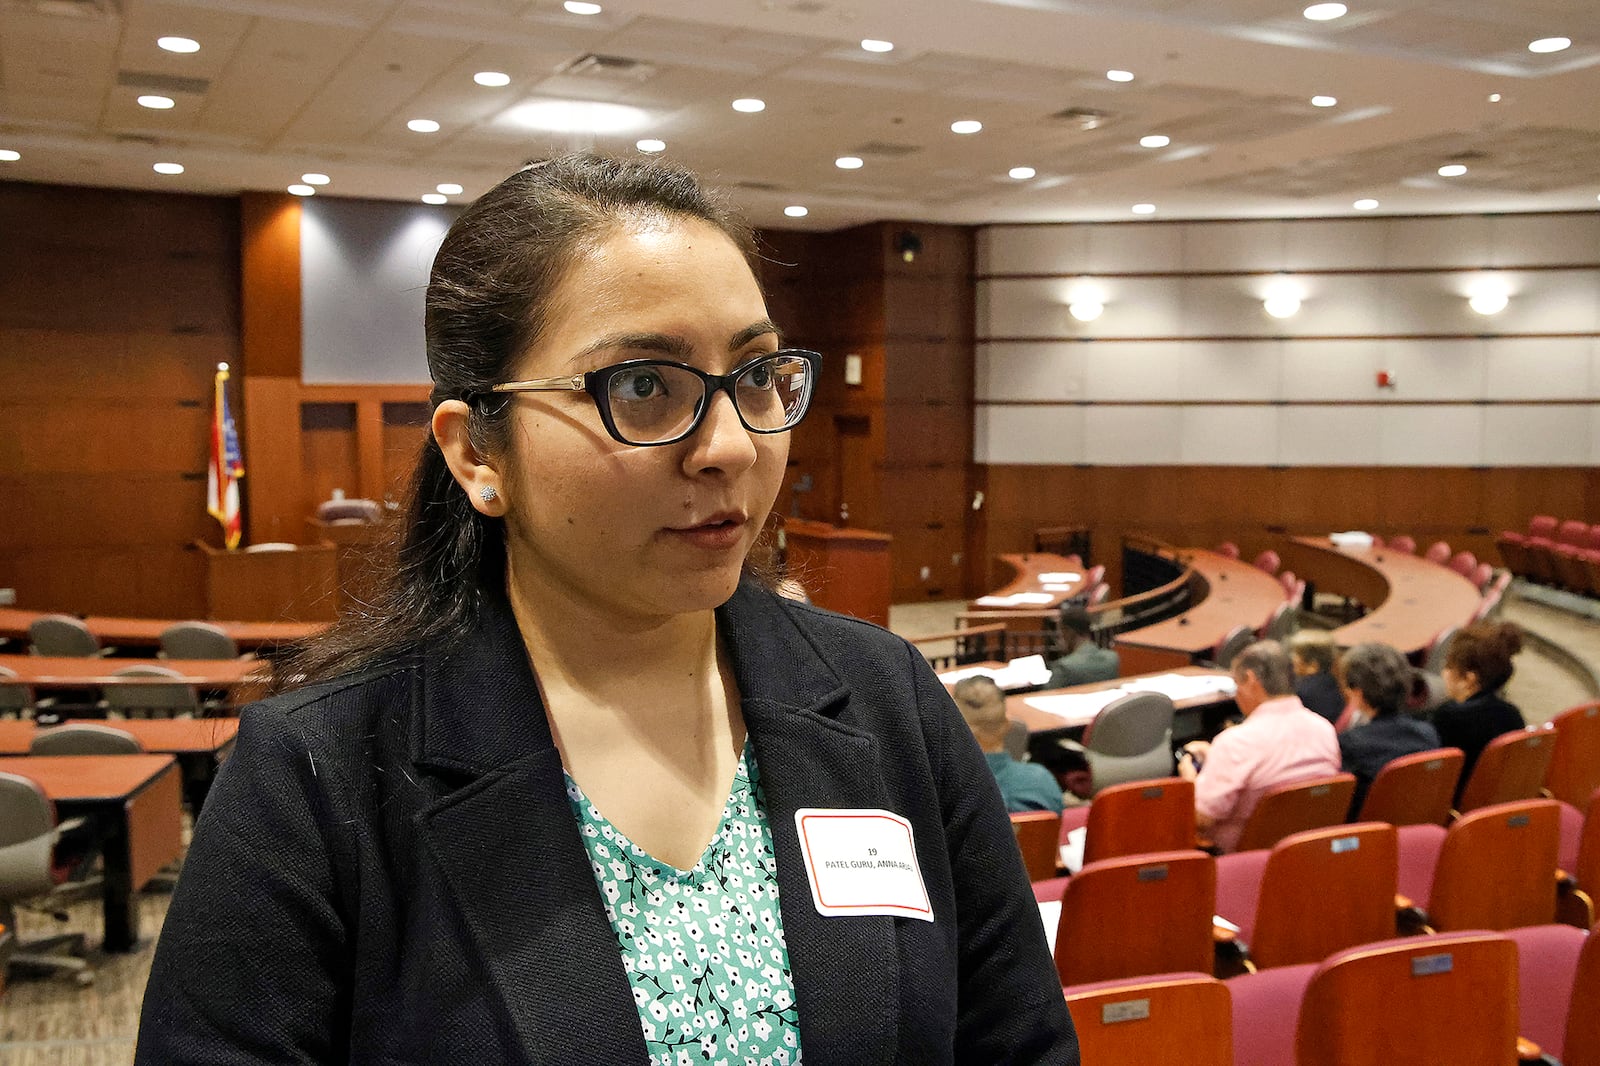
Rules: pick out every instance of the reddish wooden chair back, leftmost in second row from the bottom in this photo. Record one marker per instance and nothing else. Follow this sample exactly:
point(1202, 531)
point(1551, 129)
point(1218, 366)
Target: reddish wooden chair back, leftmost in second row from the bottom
point(1137, 916)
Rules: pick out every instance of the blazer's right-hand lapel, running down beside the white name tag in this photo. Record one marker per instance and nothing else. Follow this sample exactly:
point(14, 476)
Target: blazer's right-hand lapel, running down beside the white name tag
point(846, 969)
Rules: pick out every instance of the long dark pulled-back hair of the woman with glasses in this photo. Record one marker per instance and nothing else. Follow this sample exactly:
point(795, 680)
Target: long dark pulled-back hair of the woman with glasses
point(487, 303)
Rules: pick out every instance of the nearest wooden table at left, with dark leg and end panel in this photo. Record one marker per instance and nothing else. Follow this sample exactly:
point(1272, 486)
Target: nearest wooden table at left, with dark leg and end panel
point(134, 801)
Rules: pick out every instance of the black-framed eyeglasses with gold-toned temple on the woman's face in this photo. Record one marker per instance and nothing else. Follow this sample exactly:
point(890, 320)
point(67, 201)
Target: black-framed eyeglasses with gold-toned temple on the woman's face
point(658, 403)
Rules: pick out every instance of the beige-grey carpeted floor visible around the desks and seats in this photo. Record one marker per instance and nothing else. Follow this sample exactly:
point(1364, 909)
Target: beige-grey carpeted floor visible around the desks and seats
point(52, 1022)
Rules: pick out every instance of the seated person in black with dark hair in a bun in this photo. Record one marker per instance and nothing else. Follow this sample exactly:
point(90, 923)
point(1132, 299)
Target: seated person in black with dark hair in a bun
point(1478, 667)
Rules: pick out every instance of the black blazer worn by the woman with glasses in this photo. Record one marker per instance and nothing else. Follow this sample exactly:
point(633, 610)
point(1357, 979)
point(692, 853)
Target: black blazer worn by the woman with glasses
point(388, 872)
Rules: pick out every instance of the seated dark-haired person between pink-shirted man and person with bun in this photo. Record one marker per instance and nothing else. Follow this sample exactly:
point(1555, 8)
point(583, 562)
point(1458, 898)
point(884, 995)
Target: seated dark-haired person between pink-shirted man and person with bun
point(1377, 683)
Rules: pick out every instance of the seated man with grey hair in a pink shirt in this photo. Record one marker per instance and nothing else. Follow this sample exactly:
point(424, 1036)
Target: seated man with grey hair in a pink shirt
point(1278, 743)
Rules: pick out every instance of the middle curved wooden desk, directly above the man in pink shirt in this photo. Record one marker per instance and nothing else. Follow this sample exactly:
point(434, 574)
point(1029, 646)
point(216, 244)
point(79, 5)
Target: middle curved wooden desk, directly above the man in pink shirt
point(1236, 595)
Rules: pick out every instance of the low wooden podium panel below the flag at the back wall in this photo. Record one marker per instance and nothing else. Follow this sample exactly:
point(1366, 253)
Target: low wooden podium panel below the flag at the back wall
point(292, 585)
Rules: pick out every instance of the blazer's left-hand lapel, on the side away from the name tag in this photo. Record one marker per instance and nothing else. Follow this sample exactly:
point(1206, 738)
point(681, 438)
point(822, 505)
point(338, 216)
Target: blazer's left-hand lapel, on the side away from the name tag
point(513, 857)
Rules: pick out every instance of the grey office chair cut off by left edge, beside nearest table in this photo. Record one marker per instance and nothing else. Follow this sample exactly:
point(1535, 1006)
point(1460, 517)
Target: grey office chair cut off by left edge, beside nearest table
point(28, 856)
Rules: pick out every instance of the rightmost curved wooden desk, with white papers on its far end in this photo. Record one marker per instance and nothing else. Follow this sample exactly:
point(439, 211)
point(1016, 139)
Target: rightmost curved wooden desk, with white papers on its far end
point(1410, 599)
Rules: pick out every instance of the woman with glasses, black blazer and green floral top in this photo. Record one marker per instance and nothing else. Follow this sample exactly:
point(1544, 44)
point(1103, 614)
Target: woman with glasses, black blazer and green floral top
point(580, 788)
